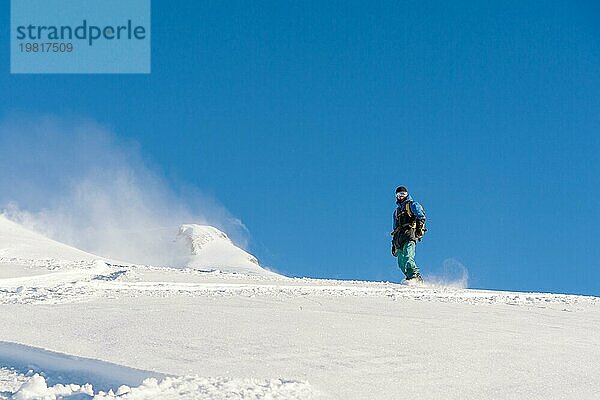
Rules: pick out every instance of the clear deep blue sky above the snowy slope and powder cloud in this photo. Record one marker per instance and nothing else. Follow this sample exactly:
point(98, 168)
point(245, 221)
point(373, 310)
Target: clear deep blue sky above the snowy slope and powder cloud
point(303, 117)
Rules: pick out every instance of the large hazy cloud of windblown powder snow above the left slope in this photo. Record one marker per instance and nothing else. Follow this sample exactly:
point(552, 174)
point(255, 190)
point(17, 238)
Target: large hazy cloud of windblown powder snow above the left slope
point(75, 181)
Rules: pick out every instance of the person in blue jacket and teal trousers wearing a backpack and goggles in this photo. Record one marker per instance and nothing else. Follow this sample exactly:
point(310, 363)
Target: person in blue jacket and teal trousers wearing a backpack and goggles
point(409, 227)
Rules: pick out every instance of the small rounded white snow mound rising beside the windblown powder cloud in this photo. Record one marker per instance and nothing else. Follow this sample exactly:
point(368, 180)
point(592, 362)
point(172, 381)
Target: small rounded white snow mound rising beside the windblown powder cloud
point(210, 249)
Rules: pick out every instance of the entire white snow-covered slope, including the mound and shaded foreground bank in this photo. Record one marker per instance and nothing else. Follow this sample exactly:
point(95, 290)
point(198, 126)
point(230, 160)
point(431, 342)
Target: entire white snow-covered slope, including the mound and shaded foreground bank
point(77, 326)
